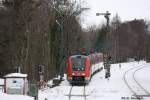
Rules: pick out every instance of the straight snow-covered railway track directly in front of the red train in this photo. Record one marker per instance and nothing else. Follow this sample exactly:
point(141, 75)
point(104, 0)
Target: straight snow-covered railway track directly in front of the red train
point(73, 95)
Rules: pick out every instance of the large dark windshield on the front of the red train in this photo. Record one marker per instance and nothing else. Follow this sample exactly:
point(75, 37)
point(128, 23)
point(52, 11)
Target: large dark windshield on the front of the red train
point(78, 63)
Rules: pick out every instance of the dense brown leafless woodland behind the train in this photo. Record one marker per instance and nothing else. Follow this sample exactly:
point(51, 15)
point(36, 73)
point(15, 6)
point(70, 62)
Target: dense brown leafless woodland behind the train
point(46, 32)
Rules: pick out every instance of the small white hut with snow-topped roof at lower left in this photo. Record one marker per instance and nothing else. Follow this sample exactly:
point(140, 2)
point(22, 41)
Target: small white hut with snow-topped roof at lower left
point(16, 83)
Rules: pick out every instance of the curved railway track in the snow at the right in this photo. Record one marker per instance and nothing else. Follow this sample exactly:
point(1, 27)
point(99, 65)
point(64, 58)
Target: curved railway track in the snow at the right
point(132, 83)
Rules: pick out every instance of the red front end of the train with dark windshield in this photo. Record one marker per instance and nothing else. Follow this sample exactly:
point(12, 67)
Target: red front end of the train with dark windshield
point(78, 69)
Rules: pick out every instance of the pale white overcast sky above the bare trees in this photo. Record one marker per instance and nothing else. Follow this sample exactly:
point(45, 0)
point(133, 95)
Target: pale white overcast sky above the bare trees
point(126, 9)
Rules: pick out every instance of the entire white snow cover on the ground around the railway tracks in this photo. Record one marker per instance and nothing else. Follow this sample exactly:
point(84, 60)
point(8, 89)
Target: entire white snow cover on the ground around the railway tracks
point(99, 88)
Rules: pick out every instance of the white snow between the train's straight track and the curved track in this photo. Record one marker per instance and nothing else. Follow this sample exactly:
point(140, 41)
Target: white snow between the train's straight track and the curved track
point(114, 88)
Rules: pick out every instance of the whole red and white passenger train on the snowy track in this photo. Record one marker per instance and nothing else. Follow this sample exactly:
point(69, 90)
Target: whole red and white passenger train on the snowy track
point(80, 68)
